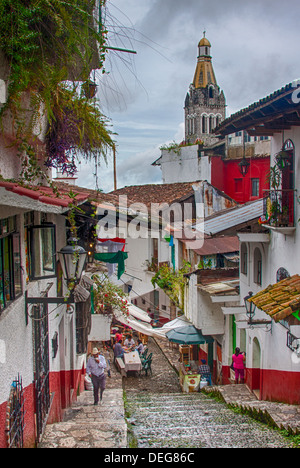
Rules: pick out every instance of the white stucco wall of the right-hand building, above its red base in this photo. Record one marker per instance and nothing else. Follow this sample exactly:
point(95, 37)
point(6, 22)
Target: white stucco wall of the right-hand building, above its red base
point(282, 251)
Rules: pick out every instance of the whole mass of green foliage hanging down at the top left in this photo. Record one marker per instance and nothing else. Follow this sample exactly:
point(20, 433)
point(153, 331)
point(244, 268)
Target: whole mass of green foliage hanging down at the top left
point(47, 43)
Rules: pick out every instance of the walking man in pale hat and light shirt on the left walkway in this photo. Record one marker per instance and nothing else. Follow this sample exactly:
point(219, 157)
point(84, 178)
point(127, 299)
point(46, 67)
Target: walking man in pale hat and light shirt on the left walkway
point(95, 369)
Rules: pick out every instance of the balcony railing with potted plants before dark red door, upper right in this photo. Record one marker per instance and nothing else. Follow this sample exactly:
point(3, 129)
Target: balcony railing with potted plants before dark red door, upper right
point(279, 208)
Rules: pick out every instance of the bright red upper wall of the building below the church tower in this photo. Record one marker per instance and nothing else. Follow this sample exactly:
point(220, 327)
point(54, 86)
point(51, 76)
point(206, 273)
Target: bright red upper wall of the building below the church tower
point(226, 176)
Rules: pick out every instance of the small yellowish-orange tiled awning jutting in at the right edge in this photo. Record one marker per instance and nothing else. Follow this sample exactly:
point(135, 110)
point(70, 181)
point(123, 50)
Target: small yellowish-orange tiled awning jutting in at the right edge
point(280, 300)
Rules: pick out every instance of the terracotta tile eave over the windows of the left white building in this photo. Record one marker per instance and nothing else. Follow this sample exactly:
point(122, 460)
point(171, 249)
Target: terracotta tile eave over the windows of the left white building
point(45, 194)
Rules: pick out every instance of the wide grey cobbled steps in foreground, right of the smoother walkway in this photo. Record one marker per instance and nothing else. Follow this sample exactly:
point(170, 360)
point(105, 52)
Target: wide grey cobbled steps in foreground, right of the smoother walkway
point(194, 421)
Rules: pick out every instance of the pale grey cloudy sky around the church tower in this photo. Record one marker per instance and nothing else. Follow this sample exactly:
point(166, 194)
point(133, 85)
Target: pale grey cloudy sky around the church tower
point(255, 52)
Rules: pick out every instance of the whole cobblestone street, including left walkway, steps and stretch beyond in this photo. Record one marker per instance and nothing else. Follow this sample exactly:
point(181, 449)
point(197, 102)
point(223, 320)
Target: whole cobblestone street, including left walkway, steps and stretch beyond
point(158, 416)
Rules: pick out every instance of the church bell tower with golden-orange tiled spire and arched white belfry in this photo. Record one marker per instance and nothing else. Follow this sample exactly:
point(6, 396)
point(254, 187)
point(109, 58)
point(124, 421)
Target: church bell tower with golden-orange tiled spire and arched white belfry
point(205, 105)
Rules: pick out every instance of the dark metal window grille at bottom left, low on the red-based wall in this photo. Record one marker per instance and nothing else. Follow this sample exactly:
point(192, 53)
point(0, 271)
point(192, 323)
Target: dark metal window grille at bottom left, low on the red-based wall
point(15, 416)
